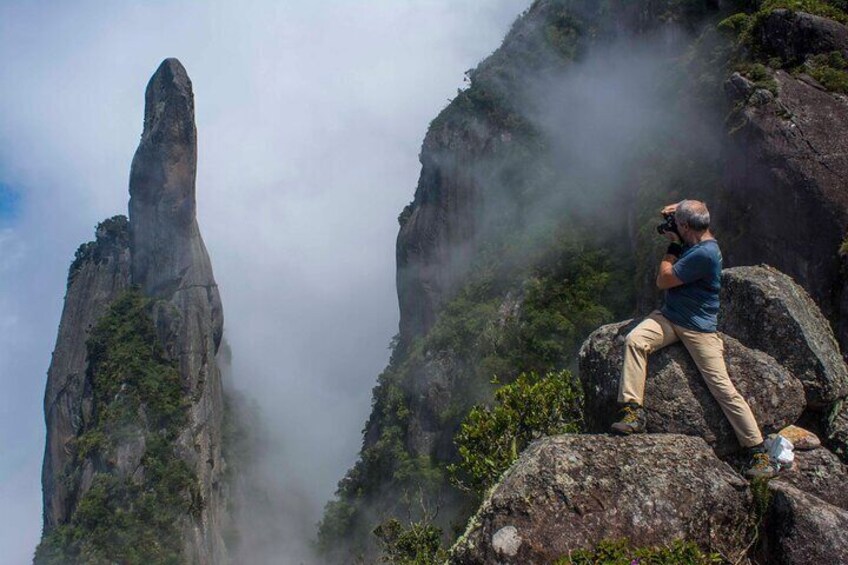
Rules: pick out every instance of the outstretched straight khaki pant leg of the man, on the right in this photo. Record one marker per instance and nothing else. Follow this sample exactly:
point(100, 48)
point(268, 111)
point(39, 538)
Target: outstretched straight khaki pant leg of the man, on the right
point(707, 350)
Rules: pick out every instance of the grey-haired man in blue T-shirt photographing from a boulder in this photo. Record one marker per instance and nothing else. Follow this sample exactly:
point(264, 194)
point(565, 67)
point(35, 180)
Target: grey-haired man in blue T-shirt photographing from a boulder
point(690, 273)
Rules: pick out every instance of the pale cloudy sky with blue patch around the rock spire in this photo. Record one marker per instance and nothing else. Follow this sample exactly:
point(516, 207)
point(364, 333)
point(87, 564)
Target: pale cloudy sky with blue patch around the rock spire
point(310, 117)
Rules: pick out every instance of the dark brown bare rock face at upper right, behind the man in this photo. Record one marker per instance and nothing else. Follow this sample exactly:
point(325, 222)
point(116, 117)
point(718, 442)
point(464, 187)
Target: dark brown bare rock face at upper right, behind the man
point(787, 160)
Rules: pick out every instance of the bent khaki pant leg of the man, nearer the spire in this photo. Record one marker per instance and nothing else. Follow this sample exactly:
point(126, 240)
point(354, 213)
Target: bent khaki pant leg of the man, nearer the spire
point(653, 333)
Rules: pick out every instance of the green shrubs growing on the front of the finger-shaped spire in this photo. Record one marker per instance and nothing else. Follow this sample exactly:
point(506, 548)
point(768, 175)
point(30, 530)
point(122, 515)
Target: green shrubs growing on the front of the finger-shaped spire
point(130, 516)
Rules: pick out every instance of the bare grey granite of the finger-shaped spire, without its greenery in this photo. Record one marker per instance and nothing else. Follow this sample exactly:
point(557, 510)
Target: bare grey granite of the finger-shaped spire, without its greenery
point(161, 251)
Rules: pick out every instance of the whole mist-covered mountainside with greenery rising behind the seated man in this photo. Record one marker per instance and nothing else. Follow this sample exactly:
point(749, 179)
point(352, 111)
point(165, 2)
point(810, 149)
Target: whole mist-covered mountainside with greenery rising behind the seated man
point(534, 217)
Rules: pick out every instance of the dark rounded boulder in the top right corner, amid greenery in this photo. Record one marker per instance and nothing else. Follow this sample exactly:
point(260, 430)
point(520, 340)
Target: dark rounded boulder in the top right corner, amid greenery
point(793, 36)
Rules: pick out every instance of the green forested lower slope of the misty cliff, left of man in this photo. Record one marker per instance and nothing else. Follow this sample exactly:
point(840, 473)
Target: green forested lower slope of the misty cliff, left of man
point(512, 316)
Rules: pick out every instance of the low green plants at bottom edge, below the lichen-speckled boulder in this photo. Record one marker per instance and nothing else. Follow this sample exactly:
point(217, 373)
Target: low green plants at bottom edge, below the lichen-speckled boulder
point(621, 552)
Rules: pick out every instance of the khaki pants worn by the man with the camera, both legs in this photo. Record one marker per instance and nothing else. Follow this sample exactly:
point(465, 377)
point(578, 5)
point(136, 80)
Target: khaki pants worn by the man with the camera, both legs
point(707, 349)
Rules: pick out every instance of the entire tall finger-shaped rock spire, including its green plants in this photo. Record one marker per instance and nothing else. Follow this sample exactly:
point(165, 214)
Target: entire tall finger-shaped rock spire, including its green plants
point(133, 466)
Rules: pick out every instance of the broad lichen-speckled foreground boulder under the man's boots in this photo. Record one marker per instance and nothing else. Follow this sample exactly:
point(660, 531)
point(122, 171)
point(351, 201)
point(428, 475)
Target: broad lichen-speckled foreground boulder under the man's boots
point(572, 491)
